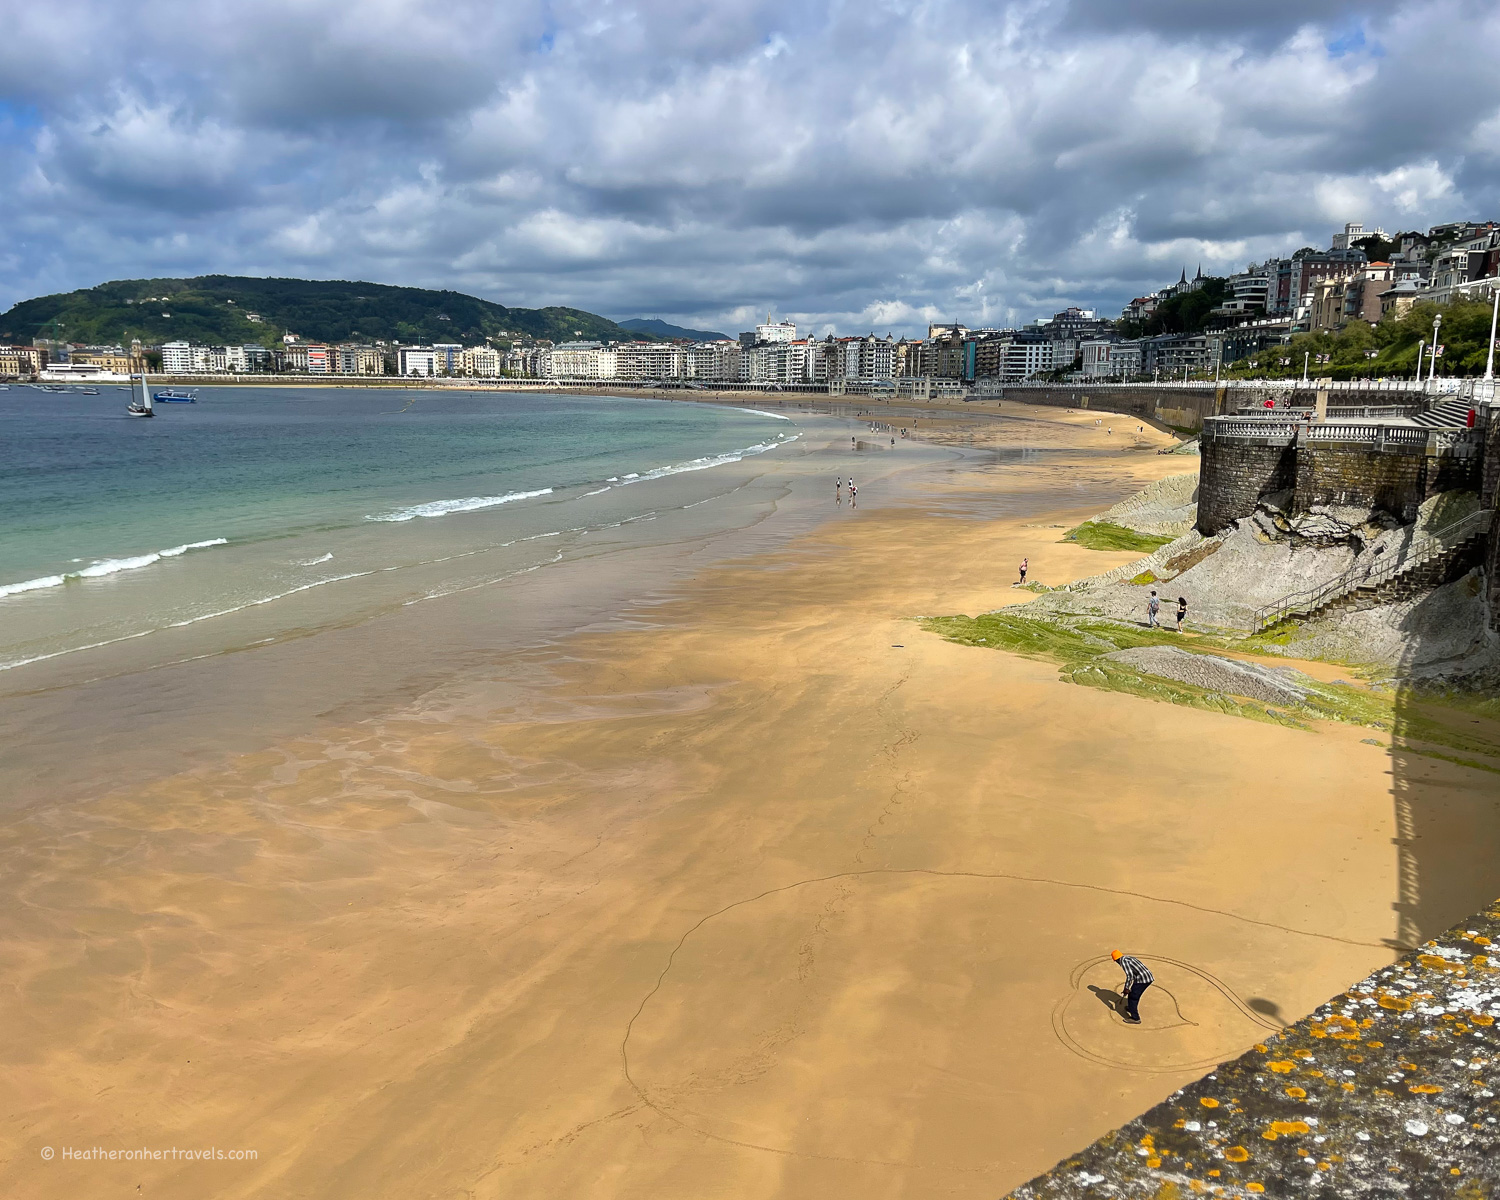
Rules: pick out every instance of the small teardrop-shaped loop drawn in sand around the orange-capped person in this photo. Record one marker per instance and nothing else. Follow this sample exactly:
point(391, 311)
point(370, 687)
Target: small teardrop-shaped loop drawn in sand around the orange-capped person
point(1190, 1019)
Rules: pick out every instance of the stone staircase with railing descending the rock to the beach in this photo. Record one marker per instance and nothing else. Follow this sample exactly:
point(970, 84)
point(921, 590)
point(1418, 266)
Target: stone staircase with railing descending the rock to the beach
point(1427, 563)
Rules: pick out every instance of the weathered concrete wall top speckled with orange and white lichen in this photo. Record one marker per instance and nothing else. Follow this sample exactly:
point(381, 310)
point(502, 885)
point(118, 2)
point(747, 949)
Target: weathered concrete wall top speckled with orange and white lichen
point(1388, 1091)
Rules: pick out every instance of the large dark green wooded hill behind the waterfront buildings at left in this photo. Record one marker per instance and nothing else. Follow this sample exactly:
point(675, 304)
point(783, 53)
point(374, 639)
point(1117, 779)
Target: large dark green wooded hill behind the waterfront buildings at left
point(217, 310)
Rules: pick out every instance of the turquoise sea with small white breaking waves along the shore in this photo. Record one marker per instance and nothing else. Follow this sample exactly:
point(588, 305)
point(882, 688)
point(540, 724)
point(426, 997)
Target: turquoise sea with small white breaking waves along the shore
point(263, 514)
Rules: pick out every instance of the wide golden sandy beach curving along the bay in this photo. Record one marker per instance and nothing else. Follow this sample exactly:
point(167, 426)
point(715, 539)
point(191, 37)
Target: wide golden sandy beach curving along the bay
point(760, 893)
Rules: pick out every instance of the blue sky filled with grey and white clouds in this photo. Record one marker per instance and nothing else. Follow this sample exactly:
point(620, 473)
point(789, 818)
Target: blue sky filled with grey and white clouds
point(854, 164)
